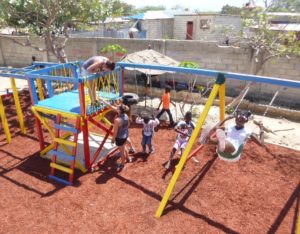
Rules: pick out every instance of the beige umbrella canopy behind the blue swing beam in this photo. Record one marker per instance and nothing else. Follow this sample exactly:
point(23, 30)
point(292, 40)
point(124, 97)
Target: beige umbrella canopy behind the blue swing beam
point(152, 57)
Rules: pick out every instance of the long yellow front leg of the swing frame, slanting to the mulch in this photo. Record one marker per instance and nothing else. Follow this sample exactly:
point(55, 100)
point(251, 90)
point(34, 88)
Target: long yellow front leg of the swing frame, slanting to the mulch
point(186, 152)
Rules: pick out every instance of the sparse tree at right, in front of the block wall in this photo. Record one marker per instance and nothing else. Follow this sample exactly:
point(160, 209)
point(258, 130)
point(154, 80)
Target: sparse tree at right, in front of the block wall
point(265, 42)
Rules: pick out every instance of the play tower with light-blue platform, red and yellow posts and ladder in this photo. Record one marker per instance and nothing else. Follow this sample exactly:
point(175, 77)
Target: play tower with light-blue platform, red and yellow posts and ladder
point(61, 104)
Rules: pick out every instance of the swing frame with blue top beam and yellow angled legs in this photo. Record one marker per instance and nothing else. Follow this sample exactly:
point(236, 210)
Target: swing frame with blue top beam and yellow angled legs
point(218, 89)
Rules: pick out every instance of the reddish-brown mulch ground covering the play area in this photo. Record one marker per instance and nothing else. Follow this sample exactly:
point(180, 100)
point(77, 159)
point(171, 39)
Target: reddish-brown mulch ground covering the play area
point(259, 194)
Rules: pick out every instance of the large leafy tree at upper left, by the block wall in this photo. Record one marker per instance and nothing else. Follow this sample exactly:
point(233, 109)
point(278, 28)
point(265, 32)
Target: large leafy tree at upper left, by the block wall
point(52, 19)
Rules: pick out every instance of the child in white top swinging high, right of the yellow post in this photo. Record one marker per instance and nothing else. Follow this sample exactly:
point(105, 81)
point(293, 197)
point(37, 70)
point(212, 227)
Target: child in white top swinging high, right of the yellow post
point(230, 140)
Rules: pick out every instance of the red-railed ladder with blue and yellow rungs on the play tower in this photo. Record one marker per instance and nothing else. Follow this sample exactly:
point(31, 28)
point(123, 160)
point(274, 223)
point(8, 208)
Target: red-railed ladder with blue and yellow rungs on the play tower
point(67, 156)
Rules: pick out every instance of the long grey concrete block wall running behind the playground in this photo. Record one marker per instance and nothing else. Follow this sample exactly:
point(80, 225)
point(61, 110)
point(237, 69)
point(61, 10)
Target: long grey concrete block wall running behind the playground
point(207, 54)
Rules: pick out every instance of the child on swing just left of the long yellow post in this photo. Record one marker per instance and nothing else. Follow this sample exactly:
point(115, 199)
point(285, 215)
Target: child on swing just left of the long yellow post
point(185, 129)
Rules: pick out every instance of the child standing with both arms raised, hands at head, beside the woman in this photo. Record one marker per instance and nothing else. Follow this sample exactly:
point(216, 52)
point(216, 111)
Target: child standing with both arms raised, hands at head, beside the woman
point(147, 132)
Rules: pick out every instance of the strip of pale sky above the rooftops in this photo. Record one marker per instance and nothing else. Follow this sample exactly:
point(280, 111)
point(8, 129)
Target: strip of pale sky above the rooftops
point(202, 5)
